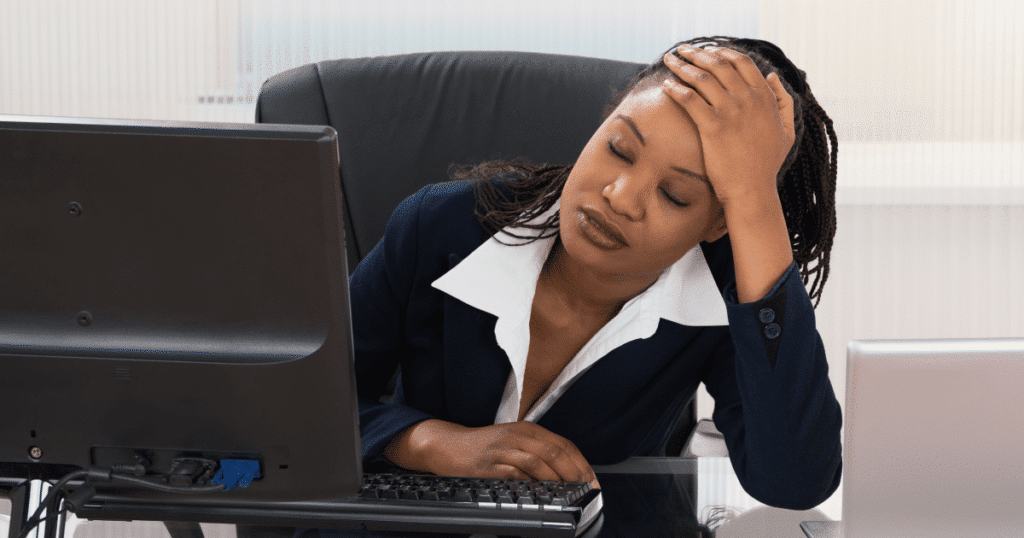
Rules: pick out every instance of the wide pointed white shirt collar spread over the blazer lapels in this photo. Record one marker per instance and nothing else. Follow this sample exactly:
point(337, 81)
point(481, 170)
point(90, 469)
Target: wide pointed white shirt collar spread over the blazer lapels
point(501, 280)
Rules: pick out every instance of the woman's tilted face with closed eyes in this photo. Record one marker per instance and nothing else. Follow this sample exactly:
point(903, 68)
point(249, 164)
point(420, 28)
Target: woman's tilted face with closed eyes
point(638, 199)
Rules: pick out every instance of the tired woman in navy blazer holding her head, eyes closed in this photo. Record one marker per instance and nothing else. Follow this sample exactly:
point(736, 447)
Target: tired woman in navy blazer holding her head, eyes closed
point(547, 319)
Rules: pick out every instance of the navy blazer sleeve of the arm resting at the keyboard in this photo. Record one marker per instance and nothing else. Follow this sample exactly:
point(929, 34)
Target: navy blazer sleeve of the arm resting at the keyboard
point(380, 289)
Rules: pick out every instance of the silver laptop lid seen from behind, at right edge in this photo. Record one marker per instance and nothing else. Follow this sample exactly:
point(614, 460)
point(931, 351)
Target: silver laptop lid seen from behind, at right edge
point(934, 440)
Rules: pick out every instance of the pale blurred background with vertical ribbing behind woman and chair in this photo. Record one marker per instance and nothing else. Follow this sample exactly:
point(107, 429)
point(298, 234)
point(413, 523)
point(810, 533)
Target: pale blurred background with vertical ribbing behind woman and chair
point(927, 98)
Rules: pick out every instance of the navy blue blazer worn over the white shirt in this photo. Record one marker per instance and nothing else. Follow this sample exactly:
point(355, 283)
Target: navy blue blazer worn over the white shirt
point(766, 371)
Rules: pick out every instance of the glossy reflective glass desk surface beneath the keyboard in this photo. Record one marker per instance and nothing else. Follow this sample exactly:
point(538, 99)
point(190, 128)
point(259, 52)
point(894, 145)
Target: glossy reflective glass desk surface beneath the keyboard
point(685, 498)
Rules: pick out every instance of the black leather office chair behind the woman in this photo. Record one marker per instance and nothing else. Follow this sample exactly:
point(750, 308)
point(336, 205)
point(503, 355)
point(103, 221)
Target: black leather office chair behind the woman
point(404, 120)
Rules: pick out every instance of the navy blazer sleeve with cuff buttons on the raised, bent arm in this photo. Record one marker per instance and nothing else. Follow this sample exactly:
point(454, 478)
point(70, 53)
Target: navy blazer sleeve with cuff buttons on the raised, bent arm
point(775, 404)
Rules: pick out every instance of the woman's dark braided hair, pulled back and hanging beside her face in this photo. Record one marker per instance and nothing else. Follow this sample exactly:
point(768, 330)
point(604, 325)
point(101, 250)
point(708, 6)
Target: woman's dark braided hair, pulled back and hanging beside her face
point(806, 181)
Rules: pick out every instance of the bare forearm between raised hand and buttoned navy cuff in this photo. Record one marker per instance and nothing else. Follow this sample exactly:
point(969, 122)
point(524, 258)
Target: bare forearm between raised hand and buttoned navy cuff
point(760, 241)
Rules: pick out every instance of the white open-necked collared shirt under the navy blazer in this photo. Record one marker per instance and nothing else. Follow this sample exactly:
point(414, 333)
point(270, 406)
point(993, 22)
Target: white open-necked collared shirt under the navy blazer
point(501, 280)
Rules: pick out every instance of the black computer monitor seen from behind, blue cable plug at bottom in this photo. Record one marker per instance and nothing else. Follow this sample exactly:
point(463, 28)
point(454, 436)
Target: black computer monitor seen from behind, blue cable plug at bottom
point(176, 293)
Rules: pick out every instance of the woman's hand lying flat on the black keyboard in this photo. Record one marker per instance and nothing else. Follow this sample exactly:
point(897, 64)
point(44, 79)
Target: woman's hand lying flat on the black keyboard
point(517, 450)
